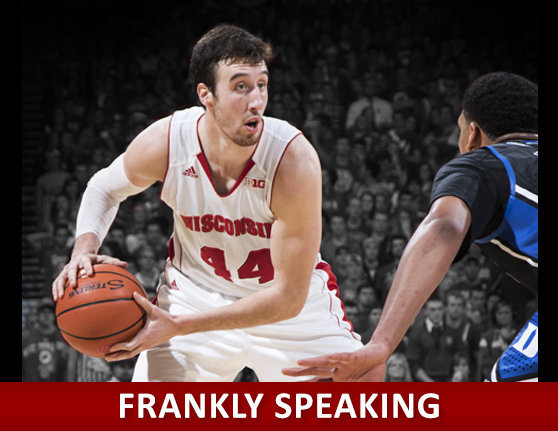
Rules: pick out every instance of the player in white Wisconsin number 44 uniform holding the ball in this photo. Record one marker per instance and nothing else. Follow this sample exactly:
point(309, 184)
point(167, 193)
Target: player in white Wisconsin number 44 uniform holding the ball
point(244, 284)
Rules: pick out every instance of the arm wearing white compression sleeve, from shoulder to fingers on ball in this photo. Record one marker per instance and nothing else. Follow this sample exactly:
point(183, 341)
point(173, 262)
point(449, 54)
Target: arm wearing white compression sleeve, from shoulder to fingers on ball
point(142, 164)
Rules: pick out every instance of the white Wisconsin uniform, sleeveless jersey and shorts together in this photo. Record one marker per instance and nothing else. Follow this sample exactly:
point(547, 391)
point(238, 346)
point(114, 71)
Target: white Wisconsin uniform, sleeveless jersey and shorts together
point(219, 252)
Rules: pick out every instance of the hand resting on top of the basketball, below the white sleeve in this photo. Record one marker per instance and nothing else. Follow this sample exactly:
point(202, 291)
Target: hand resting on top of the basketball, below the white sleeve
point(85, 262)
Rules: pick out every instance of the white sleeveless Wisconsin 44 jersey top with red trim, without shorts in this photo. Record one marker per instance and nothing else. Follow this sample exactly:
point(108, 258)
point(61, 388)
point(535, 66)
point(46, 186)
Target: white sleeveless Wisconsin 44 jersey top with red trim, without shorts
point(221, 242)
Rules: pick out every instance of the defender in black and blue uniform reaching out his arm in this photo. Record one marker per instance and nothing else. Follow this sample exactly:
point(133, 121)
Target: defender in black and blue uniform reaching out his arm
point(487, 195)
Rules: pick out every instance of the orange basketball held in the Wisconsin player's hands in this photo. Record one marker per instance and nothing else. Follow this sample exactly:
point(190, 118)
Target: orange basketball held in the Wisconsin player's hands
point(100, 311)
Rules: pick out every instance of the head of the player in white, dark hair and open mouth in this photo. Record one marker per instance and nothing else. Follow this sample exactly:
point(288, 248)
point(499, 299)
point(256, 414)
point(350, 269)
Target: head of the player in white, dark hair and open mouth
point(228, 69)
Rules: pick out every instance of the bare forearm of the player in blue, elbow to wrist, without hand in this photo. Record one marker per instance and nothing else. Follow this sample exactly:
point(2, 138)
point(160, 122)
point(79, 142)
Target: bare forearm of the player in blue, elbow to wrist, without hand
point(424, 263)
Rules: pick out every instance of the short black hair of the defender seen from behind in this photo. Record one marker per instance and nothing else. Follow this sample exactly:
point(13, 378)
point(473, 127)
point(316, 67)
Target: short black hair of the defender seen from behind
point(501, 103)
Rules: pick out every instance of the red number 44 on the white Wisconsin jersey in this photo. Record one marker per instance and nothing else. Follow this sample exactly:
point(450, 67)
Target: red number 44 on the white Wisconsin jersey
point(257, 265)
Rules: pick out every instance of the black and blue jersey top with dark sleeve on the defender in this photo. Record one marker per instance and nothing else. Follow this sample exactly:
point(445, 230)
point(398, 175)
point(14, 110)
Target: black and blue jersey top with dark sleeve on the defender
point(499, 184)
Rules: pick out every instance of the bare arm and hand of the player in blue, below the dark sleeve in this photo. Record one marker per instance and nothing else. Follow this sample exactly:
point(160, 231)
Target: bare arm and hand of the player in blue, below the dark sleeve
point(424, 263)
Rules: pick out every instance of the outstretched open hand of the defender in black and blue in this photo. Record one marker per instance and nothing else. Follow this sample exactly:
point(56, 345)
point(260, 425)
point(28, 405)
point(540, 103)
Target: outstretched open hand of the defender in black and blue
point(364, 365)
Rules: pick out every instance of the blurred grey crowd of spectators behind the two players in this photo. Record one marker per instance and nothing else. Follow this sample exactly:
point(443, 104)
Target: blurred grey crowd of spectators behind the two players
point(375, 87)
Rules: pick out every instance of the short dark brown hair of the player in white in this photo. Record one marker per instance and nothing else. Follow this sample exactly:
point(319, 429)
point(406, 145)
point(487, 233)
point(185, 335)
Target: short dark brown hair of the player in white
point(225, 42)
